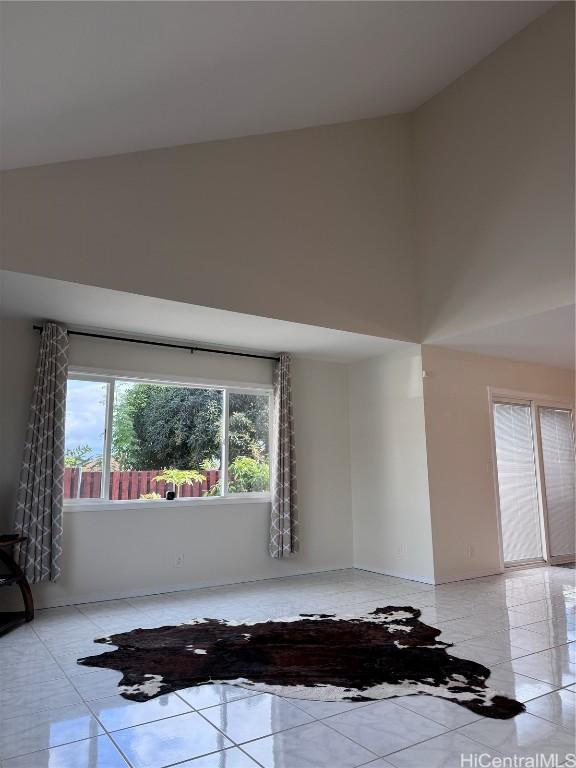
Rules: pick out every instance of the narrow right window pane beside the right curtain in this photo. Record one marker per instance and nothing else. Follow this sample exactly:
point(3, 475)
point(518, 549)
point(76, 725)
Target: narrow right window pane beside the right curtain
point(248, 443)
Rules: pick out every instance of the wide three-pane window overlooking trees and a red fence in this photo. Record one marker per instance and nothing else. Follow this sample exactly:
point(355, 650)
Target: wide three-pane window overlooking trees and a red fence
point(129, 439)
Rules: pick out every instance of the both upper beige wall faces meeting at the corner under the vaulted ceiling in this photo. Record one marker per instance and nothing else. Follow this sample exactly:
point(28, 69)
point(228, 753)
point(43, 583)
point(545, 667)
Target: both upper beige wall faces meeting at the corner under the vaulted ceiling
point(472, 195)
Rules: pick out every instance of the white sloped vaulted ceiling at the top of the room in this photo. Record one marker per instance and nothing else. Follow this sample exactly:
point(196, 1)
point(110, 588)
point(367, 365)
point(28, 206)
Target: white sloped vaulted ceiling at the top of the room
point(88, 79)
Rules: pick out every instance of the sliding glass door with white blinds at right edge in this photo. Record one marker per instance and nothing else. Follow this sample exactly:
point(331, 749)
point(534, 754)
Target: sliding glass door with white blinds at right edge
point(534, 448)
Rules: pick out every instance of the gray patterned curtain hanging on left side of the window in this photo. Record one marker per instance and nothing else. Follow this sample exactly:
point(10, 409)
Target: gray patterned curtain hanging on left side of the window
point(39, 504)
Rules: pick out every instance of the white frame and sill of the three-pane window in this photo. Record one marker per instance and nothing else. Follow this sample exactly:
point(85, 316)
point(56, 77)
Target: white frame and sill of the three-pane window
point(110, 377)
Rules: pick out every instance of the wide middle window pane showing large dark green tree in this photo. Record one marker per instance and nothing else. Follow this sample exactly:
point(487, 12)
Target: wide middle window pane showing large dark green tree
point(165, 438)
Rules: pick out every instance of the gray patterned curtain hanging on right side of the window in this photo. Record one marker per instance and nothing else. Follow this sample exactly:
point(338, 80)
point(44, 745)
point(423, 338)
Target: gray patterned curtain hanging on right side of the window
point(284, 520)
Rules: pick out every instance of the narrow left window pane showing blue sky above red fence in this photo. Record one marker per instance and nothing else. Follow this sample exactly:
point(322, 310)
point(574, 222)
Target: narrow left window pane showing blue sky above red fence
point(84, 438)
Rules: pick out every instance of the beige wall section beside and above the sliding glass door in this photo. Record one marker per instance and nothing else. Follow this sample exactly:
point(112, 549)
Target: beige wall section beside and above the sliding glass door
point(459, 449)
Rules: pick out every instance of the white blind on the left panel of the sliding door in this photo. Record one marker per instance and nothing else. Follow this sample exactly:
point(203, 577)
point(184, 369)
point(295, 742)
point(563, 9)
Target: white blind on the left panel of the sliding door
point(517, 483)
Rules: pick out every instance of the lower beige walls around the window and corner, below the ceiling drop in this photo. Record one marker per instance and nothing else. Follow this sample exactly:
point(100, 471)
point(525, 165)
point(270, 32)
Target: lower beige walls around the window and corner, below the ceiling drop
point(394, 476)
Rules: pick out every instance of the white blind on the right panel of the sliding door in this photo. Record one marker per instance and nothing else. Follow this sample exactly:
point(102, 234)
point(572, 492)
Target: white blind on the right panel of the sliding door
point(558, 461)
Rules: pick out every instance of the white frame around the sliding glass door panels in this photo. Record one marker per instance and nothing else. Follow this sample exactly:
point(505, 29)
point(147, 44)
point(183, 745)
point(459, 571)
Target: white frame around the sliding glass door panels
point(534, 400)
